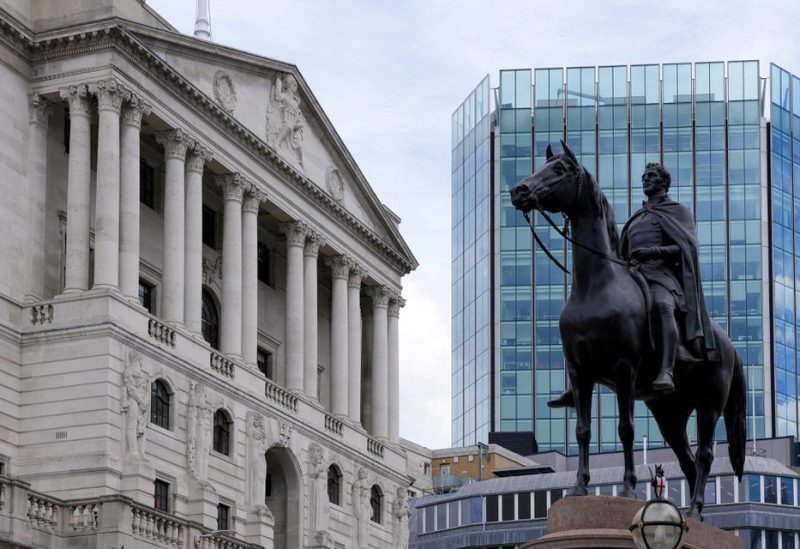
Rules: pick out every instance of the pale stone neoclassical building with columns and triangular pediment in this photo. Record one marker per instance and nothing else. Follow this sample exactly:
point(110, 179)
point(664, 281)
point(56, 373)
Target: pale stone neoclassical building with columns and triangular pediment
point(199, 297)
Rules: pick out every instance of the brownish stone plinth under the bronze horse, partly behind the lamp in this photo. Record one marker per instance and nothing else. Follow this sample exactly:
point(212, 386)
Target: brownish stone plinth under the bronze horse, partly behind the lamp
point(603, 521)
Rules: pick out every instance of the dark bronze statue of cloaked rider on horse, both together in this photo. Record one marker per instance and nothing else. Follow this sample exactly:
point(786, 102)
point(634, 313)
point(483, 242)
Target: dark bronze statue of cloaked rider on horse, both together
point(679, 363)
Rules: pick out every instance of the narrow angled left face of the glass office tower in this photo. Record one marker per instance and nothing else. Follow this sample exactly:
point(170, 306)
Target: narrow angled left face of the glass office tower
point(471, 268)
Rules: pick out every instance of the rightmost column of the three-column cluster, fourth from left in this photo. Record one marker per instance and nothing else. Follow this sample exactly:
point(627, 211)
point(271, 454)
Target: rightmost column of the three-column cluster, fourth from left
point(129, 197)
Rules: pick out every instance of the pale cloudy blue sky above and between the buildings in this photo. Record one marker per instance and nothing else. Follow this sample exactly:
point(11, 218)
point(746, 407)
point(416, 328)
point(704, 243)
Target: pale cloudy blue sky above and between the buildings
point(389, 74)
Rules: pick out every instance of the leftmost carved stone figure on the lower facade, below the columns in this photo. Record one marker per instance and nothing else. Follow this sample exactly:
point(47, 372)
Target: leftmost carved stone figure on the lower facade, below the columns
point(135, 392)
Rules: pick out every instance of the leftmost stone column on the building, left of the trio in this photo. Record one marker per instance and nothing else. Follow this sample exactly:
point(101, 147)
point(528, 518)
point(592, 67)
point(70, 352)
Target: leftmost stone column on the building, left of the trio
point(40, 110)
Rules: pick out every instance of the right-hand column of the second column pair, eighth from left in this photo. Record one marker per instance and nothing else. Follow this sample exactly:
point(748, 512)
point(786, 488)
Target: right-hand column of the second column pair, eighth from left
point(253, 198)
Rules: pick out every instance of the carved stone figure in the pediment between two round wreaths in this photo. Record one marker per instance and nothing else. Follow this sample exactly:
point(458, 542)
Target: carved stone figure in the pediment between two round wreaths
point(284, 119)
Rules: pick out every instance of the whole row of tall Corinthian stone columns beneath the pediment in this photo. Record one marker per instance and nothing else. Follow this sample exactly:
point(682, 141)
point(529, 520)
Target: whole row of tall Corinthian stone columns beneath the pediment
point(116, 260)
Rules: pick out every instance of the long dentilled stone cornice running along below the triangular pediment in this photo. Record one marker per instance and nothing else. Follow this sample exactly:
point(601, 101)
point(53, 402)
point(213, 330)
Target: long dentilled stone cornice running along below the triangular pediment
point(112, 33)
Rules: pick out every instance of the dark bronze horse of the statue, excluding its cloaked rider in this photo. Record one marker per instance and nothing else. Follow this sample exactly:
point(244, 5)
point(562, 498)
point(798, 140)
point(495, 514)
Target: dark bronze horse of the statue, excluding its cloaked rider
point(605, 335)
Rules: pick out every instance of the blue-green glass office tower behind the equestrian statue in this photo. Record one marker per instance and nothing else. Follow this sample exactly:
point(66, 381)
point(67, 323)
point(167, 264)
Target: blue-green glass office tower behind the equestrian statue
point(731, 141)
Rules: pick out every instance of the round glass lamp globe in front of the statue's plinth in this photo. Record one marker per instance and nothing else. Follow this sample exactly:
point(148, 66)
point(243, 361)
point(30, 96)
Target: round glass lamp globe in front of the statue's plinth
point(658, 525)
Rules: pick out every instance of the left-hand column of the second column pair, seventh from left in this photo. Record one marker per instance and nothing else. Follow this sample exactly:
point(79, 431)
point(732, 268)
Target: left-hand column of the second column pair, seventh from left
point(231, 322)
